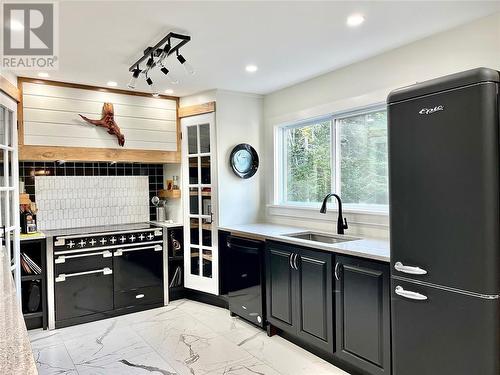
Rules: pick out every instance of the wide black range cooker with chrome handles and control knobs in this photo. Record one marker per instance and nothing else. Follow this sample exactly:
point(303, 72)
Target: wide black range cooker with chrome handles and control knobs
point(105, 271)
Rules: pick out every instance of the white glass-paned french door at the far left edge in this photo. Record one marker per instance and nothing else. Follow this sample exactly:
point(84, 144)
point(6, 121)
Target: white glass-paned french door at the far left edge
point(9, 187)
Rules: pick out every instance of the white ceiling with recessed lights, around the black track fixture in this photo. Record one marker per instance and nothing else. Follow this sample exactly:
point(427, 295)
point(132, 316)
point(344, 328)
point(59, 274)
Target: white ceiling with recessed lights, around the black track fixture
point(289, 41)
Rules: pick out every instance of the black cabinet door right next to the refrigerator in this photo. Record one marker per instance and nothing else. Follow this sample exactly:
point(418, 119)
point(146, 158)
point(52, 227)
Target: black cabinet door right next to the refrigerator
point(362, 302)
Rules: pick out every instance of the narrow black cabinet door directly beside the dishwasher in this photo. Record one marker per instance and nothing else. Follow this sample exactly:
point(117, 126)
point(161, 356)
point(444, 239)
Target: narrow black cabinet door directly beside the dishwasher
point(279, 285)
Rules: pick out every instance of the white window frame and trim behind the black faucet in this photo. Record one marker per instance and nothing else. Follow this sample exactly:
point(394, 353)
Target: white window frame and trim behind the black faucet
point(280, 193)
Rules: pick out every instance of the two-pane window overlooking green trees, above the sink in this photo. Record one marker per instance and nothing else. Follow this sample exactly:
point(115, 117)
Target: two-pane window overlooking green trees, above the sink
point(344, 154)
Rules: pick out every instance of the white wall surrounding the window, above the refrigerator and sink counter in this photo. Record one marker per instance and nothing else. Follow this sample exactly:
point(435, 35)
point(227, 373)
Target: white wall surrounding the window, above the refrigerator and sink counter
point(368, 82)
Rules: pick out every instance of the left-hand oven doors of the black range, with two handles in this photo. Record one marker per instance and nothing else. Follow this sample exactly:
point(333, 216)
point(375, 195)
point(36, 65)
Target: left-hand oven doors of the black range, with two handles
point(83, 284)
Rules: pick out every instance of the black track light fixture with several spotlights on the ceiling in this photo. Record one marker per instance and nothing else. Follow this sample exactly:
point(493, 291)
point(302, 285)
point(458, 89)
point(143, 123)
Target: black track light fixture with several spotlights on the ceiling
point(155, 56)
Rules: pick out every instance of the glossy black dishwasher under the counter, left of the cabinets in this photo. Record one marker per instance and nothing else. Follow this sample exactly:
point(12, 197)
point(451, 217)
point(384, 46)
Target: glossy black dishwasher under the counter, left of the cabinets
point(244, 264)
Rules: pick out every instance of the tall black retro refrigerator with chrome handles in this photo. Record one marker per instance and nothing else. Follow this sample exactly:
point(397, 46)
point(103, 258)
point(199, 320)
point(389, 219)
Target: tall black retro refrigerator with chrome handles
point(444, 171)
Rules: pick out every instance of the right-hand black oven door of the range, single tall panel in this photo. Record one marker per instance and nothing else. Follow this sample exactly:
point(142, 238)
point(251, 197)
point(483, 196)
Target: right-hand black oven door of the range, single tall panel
point(138, 276)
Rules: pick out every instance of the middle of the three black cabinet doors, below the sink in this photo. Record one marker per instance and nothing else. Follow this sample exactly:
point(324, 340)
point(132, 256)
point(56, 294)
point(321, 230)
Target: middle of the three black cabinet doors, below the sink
point(314, 307)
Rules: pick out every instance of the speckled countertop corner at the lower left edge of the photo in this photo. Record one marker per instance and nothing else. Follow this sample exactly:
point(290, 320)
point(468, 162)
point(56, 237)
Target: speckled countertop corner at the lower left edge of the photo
point(15, 349)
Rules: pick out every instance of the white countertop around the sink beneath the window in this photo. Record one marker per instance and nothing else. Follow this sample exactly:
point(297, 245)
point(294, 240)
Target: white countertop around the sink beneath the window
point(370, 248)
